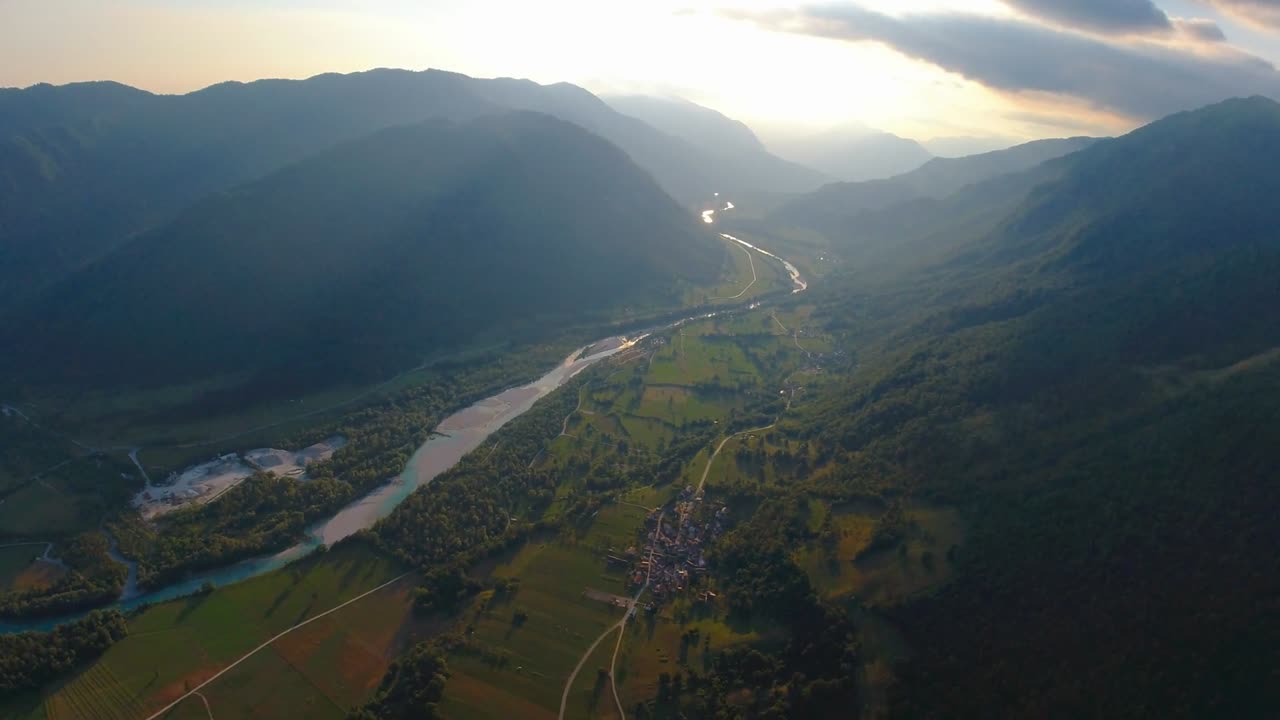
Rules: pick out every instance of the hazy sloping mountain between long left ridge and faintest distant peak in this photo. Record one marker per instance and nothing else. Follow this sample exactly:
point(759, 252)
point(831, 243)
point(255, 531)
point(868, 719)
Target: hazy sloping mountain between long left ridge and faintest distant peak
point(733, 145)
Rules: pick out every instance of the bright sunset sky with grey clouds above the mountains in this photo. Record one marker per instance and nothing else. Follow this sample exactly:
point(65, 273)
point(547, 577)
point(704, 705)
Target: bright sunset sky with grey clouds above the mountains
point(921, 69)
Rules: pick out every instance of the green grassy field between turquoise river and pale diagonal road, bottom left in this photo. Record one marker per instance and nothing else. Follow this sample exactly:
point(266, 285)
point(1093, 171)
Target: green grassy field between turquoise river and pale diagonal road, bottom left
point(177, 645)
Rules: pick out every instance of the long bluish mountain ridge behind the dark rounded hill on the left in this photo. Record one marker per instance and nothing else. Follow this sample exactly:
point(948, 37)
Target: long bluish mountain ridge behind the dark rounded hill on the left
point(85, 167)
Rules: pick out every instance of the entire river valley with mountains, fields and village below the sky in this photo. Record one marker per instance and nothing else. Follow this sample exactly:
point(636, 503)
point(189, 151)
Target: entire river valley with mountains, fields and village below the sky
point(486, 399)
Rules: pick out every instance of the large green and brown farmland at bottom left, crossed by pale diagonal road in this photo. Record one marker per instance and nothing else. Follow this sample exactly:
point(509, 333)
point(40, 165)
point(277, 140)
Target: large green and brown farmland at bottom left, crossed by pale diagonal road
point(179, 645)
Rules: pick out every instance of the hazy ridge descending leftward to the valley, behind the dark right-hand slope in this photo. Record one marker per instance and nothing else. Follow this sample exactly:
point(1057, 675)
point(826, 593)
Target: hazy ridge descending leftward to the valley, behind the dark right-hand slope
point(844, 209)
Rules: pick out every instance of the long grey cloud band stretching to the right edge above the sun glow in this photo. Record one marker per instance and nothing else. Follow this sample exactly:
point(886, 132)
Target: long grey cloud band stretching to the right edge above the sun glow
point(1137, 80)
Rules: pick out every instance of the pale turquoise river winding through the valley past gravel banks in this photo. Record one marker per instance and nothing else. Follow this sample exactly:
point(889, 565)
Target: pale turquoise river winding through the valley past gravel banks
point(455, 438)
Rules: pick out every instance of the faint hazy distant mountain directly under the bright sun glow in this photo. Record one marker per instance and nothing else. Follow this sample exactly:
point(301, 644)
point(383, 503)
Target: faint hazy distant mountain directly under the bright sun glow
point(853, 154)
